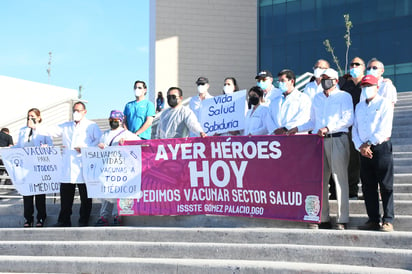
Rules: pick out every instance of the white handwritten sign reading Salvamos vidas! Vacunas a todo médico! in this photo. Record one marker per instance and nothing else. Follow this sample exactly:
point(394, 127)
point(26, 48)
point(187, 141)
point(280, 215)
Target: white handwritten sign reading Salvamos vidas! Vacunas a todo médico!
point(113, 172)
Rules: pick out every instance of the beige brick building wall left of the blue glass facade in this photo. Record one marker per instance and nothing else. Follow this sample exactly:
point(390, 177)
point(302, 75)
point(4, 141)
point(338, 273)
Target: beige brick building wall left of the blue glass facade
point(210, 38)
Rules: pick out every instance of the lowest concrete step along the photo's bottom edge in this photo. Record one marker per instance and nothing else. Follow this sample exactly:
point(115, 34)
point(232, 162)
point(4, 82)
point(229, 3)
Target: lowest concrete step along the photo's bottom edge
point(181, 266)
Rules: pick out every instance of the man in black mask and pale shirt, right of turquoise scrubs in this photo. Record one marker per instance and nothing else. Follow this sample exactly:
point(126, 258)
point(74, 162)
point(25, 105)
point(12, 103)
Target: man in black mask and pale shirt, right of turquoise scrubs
point(178, 120)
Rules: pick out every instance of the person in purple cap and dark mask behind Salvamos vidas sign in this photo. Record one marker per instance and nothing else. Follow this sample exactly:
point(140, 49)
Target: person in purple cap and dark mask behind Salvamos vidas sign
point(113, 137)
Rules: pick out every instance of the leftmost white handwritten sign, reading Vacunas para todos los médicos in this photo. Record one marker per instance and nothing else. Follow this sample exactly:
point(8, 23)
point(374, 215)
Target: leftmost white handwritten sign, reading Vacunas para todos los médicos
point(33, 170)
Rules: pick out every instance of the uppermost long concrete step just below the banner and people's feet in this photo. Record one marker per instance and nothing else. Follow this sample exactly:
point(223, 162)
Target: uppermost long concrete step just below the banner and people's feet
point(352, 238)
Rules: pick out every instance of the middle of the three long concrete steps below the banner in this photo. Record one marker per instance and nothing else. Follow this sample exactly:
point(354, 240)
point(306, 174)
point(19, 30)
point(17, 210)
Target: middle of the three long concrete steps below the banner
point(361, 256)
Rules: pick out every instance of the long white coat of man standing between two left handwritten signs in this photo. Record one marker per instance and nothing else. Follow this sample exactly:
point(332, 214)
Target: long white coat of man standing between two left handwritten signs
point(85, 133)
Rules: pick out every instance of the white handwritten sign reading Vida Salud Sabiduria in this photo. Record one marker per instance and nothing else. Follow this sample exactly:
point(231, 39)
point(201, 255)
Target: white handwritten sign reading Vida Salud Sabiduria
point(223, 113)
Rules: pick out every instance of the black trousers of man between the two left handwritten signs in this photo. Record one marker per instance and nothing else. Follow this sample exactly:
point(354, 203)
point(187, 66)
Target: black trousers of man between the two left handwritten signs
point(67, 191)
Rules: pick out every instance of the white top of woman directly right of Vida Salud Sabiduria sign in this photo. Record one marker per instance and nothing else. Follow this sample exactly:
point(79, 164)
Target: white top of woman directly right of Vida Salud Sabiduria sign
point(255, 121)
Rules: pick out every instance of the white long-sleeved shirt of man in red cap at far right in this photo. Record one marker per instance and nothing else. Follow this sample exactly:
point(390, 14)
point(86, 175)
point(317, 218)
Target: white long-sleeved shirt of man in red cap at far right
point(373, 121)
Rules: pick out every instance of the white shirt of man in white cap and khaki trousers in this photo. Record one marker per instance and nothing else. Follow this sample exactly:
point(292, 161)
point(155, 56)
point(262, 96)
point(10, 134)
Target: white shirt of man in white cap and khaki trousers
point(334, 112)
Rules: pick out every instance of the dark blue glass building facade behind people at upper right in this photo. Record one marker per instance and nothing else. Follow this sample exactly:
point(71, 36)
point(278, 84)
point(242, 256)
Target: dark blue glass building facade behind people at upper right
point(291, 34)
